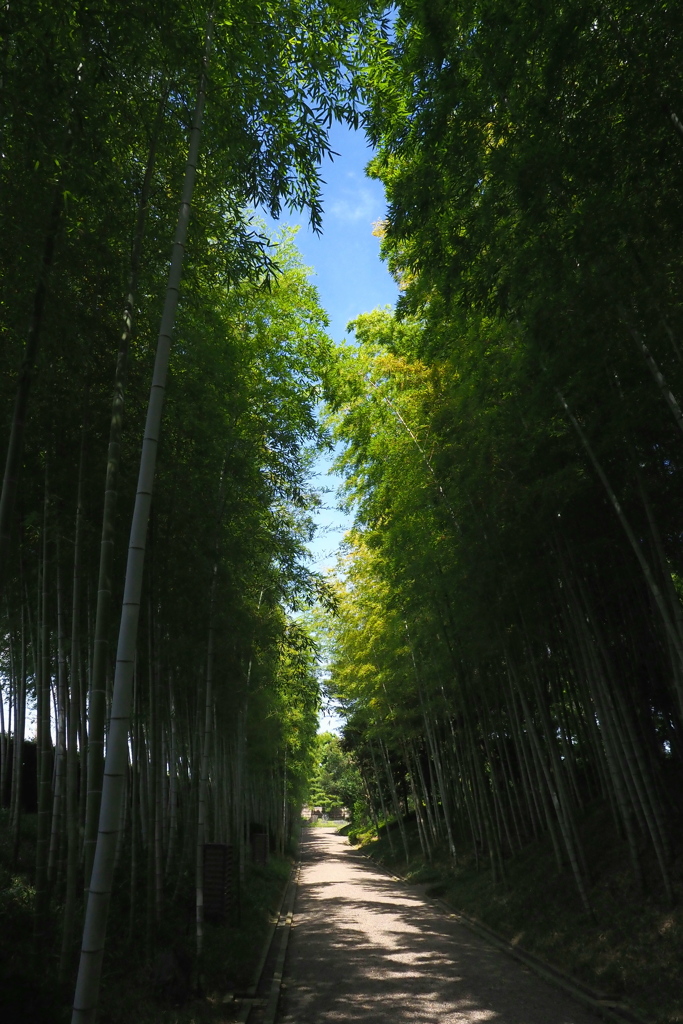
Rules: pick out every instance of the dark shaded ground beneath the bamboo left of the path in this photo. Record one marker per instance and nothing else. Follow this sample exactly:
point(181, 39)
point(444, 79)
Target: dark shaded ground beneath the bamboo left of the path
point(149, 975)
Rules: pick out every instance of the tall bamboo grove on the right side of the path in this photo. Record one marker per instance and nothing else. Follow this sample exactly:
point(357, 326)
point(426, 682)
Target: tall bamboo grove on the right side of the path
point(509, 651)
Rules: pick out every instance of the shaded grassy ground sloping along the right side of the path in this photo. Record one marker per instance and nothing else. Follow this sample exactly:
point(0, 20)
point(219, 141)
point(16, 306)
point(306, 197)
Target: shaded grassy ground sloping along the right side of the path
point(632, 951)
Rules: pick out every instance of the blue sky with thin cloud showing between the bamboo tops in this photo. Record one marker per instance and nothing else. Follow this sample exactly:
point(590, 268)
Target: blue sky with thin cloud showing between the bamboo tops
point(351, 280)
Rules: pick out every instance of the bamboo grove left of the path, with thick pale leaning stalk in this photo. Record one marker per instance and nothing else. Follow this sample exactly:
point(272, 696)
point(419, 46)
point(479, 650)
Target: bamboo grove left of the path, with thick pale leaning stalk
point(113, 115)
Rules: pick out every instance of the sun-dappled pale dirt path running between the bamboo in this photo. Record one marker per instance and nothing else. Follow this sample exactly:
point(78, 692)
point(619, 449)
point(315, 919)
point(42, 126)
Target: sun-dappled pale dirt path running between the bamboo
point(367, 949)
